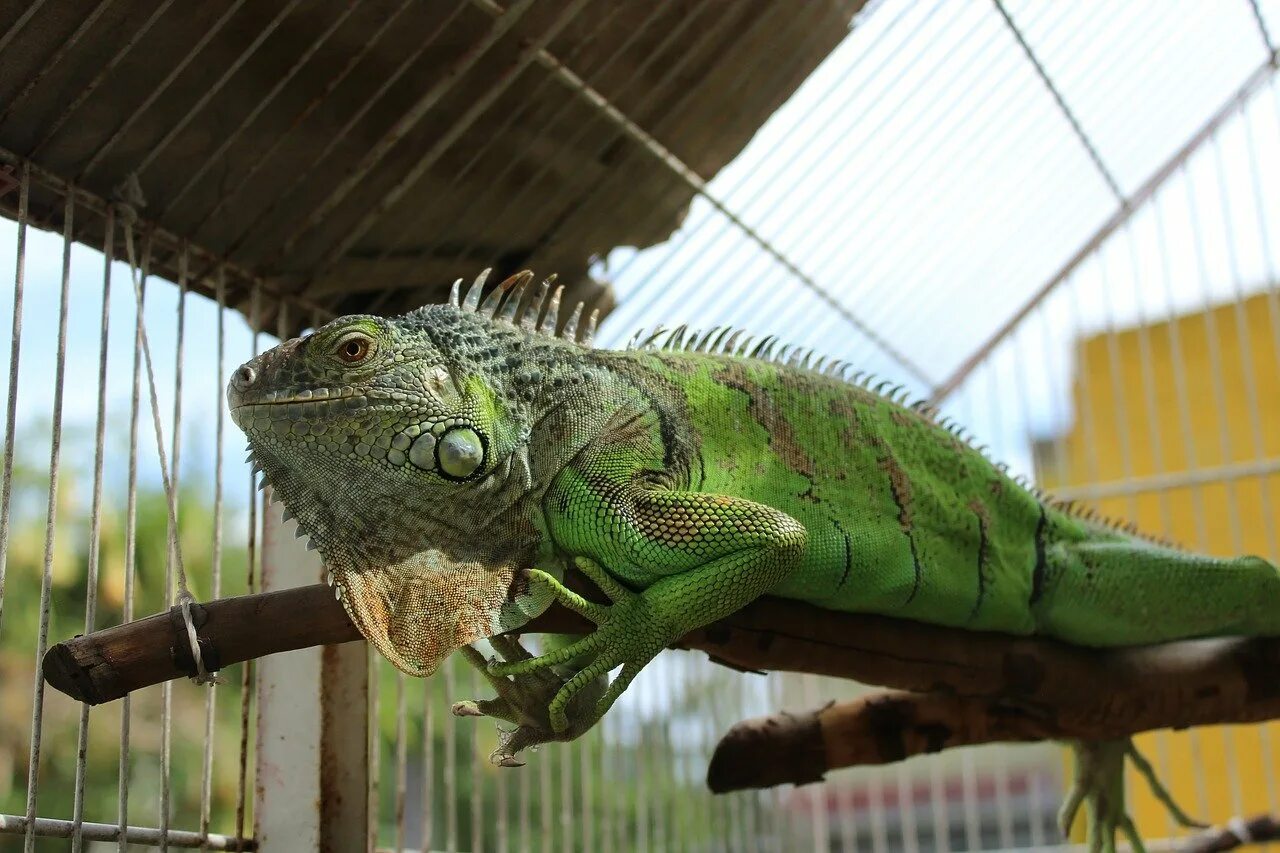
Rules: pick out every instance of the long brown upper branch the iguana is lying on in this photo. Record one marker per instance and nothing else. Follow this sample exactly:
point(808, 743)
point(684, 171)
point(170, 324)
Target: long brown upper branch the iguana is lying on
point(1131, 690)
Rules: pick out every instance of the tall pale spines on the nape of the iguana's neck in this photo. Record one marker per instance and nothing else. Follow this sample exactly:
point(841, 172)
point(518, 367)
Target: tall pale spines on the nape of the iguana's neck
point(514, 303)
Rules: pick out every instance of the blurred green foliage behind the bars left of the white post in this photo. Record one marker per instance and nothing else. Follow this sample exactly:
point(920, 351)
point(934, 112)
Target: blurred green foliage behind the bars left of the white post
point(70, 574)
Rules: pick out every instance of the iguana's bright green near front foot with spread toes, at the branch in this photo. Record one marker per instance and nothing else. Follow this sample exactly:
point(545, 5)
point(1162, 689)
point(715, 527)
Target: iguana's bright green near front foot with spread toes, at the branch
point(629, 633)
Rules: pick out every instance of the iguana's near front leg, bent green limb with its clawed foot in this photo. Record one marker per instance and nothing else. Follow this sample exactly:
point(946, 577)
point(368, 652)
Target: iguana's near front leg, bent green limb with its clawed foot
point(698, 558)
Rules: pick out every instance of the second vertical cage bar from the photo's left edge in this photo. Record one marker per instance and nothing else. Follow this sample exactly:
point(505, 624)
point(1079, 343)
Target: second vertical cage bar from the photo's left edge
point(56, 444)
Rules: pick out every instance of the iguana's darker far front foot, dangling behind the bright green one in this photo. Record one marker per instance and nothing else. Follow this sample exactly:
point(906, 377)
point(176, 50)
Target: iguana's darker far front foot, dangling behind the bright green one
point(524, 703)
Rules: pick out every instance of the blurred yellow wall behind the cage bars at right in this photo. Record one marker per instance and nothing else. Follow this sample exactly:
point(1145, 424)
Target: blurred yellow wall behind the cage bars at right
point(1214, 773)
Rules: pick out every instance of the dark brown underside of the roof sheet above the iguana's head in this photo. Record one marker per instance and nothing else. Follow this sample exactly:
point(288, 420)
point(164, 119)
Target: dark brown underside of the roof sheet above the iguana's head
point(362, 157)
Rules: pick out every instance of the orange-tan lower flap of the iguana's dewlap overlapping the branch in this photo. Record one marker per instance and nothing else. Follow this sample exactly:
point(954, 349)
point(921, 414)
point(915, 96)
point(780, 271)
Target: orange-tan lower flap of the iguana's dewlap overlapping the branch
point(419, 612)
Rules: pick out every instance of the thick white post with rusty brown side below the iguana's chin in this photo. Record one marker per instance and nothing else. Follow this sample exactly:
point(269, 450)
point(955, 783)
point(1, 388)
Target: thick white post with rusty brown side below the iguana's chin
point(313, 719)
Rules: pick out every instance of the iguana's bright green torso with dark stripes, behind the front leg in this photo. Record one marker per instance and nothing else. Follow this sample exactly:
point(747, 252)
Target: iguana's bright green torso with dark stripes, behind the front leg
point(907, 518)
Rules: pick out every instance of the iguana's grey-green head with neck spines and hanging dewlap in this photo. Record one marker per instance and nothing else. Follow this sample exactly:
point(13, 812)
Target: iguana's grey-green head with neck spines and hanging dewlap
point(403, 449)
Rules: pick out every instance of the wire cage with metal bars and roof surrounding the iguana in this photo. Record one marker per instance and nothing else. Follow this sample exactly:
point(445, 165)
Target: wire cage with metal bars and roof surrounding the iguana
point(1058, 222)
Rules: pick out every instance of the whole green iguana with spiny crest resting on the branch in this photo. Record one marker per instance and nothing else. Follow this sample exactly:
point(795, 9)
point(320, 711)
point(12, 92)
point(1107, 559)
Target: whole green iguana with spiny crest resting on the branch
point(450, 463)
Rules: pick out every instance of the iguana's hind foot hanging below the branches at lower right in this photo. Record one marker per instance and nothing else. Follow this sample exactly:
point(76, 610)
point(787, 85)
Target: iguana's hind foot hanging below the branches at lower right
point(1099, 784)
